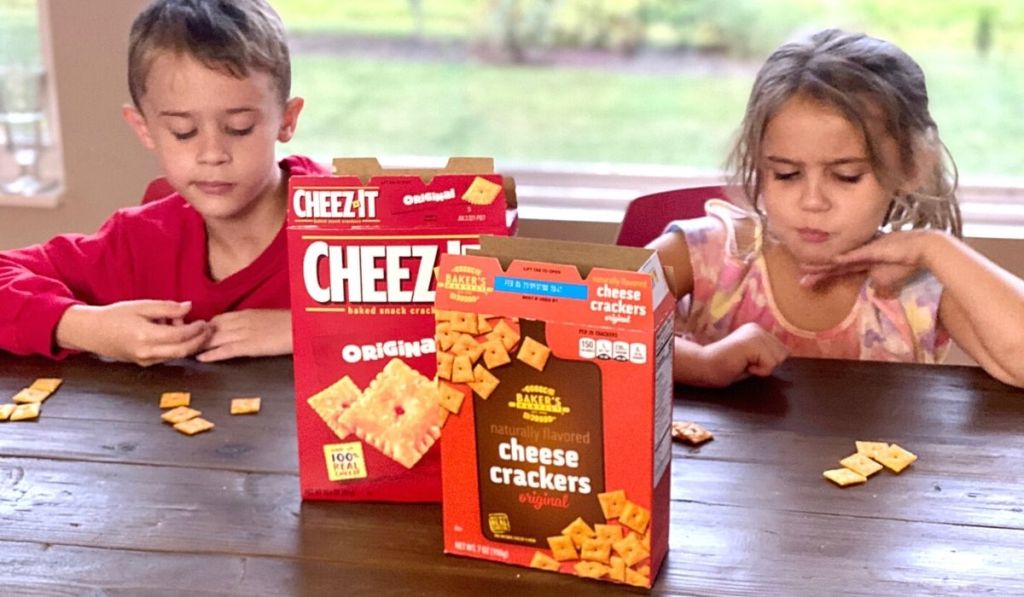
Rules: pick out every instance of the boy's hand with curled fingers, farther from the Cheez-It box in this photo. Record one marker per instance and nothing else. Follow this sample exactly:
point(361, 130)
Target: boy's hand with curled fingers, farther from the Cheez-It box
point(145, 332)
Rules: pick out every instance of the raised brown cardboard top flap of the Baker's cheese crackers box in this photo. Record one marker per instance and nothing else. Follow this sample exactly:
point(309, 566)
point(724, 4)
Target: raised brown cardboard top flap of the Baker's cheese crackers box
point(583, 257)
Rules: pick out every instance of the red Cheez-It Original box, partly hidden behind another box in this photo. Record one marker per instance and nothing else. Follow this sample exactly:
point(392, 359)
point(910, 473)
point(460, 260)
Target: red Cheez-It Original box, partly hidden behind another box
point(364, 246)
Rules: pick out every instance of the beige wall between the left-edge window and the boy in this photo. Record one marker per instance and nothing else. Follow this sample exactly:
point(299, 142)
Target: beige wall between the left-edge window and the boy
point(105, 166)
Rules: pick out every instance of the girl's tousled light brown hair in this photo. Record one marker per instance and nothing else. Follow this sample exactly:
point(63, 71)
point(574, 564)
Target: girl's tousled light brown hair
point(881, 91)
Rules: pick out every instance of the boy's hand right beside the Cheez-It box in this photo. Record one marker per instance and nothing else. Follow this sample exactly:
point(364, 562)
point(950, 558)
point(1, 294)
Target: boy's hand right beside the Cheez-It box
point(249, 333)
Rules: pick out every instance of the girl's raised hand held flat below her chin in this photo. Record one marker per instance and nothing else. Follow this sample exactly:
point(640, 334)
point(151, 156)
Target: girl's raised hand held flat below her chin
point(889, 262)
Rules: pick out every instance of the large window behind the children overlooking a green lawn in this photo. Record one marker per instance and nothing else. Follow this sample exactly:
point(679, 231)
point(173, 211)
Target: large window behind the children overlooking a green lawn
point(602, 100)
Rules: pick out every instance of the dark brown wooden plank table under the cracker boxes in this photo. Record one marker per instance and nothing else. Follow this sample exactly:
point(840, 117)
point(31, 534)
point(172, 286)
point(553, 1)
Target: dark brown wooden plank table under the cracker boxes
point(99, 497)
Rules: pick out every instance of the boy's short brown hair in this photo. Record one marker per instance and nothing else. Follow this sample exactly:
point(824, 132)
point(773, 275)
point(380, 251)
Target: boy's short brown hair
point(230, 36)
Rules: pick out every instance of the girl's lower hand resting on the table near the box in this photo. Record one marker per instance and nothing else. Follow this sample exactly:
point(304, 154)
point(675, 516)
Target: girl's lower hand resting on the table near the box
point(748, 351)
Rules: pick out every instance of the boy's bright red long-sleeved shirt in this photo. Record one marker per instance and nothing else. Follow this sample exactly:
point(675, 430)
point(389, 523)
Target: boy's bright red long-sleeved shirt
point(155, 251)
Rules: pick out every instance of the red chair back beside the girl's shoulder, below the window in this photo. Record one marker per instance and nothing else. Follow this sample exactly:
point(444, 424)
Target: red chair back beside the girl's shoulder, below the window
point(647, 217)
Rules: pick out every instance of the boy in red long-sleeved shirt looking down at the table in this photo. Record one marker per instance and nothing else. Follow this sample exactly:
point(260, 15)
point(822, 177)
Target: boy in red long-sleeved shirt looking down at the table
point(203, 272)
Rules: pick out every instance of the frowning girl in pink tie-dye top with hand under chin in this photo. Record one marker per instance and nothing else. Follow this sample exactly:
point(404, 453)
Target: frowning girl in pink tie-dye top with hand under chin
point(851, 247)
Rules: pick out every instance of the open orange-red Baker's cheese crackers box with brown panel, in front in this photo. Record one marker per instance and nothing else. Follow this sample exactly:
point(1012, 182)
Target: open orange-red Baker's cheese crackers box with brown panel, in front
point(556, 369)
